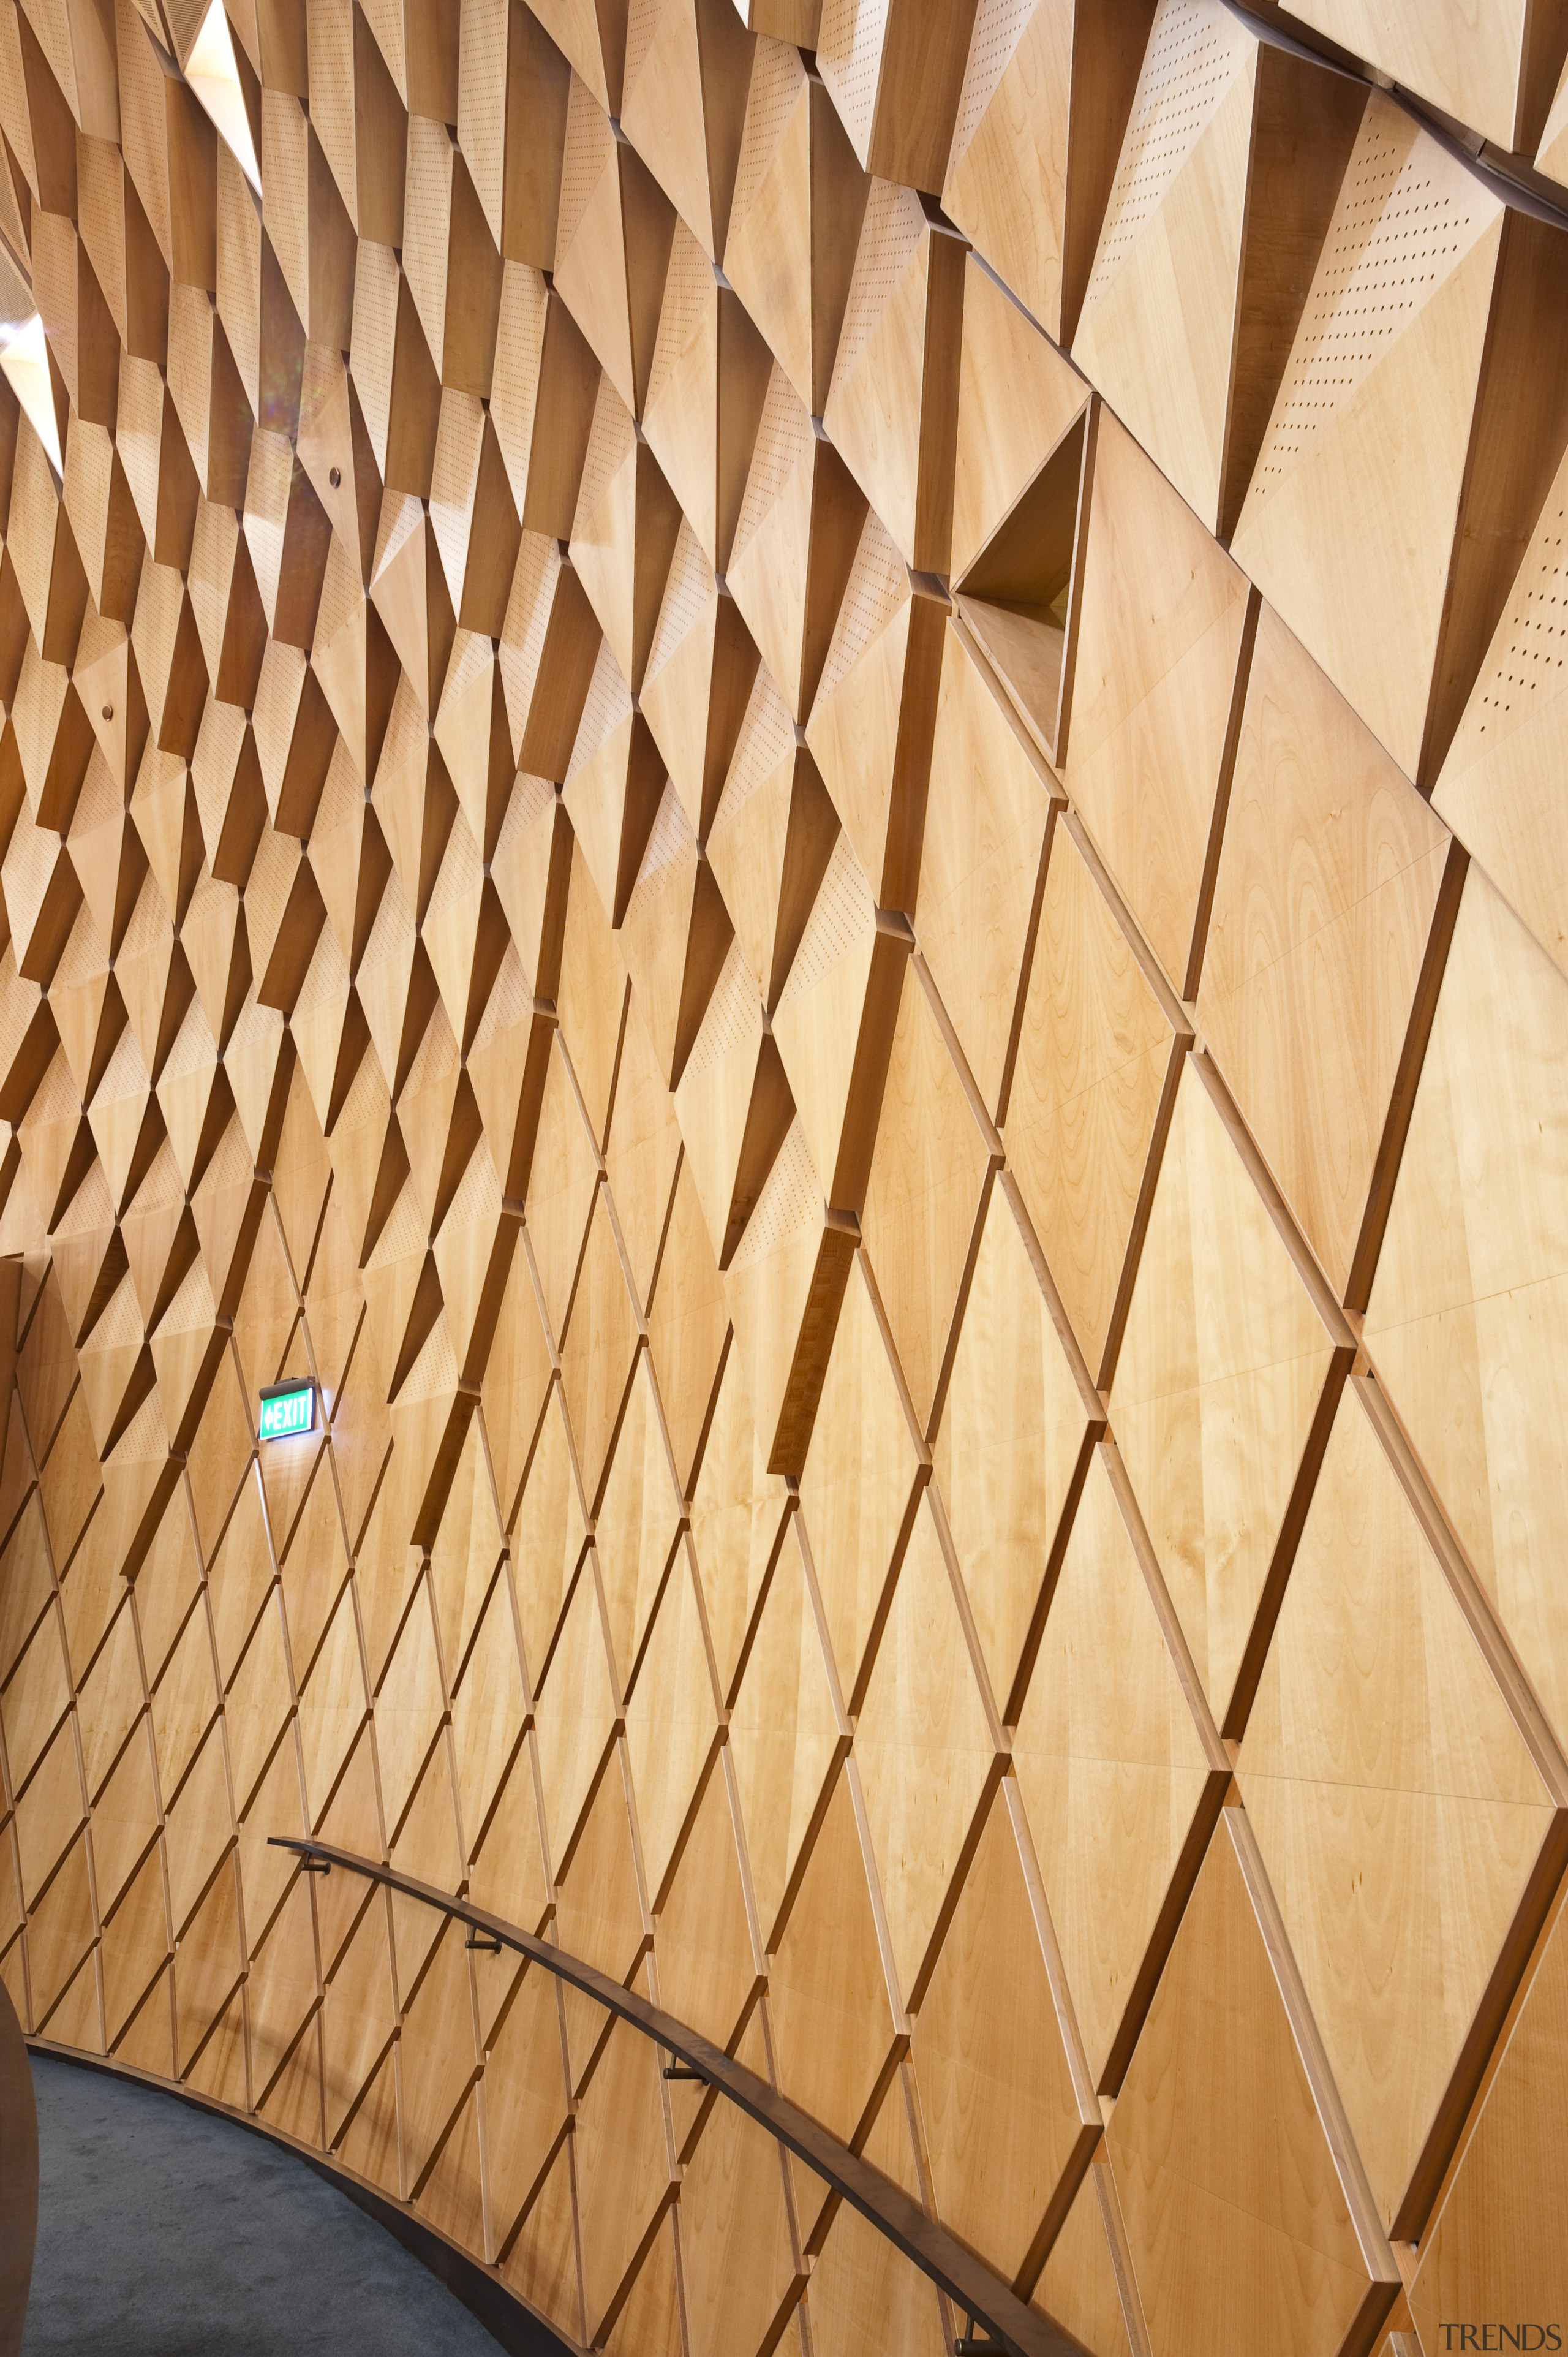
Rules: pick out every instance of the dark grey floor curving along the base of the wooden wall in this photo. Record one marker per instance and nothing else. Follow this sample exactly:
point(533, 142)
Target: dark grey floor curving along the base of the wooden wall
point(169, 2233)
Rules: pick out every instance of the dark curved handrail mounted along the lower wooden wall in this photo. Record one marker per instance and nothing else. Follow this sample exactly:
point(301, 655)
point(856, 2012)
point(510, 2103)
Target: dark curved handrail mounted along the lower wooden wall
point(883, 2203)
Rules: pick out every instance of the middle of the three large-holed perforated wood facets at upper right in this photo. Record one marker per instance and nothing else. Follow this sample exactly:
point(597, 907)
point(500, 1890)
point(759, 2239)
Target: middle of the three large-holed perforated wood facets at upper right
point(1404, 223)
